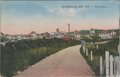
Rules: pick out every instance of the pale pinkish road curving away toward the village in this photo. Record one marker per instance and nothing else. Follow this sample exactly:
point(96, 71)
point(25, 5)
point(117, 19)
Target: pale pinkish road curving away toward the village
point(65, 63)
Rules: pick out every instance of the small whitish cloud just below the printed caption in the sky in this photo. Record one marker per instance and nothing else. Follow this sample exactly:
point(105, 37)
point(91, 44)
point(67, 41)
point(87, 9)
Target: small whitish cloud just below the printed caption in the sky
point(64, 12)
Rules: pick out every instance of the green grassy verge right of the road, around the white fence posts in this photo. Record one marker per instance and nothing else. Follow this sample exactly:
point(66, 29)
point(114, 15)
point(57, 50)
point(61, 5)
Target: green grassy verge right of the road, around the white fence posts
point(95, 64)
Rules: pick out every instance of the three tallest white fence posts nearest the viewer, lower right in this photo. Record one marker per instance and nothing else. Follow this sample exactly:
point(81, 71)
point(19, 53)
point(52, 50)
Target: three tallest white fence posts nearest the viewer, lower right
point(107, 65)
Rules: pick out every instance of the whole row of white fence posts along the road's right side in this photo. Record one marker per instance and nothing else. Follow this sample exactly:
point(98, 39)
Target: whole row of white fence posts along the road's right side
point(107, 62)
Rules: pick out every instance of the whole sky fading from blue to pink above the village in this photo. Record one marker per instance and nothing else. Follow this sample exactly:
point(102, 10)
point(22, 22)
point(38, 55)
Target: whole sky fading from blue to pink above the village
point(22, 17)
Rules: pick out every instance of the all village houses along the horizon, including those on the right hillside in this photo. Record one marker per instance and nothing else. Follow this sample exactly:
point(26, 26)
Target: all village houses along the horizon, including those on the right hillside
point(104, 34)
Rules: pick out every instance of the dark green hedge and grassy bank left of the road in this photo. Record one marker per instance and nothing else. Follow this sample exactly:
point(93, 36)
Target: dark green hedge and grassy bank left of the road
point(27, 53)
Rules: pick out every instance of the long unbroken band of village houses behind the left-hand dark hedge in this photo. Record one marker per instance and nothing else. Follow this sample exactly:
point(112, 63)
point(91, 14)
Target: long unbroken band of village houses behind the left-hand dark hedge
point(34, 35)
